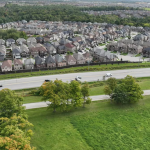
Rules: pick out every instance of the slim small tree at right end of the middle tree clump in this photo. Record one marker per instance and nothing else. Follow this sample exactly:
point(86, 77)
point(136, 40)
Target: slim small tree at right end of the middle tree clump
point(85, 93)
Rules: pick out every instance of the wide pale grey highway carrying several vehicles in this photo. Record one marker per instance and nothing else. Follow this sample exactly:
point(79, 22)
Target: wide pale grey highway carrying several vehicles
point(32, 82)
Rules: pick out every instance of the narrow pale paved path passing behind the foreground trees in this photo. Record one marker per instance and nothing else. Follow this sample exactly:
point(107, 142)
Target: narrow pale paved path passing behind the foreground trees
point(94, 98)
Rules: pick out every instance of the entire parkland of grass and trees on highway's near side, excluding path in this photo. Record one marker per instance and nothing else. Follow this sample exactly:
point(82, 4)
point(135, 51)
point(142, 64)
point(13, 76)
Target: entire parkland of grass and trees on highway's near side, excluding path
point(119, 123)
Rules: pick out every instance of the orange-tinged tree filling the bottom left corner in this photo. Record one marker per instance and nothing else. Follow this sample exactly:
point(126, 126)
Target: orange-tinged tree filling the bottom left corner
point(15, 133)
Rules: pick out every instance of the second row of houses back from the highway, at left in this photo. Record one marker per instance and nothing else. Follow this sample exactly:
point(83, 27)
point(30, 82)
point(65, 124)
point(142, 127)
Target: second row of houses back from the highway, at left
point(37, 49)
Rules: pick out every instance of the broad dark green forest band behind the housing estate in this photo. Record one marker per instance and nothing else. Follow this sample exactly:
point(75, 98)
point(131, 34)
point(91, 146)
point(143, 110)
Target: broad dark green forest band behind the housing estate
point(12, 12)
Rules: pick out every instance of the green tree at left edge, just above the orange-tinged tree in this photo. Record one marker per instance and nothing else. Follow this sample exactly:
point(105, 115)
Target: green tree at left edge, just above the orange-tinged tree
point(10, 103)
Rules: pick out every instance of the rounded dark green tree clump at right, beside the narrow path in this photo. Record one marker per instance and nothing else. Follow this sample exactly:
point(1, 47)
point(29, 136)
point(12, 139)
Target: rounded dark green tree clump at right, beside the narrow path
point(126, 91)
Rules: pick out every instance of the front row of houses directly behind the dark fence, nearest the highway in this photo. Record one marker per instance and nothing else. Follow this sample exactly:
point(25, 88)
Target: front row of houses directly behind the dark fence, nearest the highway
point(49, 62)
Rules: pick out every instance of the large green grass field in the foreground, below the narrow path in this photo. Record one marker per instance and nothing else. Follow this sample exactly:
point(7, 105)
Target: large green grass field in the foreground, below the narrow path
point(100, 126)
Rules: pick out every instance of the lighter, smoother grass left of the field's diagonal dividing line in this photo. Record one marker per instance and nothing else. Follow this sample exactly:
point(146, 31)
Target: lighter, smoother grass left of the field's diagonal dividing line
point(54, 132)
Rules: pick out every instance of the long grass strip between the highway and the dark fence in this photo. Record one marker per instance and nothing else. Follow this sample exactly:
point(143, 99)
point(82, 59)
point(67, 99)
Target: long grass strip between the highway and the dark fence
point(87, 68)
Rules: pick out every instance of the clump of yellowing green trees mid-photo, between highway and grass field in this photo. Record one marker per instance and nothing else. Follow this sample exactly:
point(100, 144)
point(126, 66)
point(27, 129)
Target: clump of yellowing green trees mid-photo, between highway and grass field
point(64, 96)
